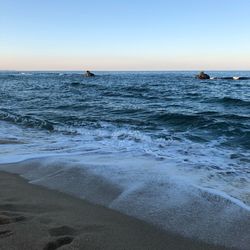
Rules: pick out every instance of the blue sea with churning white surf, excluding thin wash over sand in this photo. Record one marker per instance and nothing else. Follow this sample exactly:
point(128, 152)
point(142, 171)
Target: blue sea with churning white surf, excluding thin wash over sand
point(162, 115)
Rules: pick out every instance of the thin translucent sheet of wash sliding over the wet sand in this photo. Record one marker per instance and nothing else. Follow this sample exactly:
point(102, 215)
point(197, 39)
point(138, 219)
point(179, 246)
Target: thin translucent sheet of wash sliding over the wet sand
point(139, 188)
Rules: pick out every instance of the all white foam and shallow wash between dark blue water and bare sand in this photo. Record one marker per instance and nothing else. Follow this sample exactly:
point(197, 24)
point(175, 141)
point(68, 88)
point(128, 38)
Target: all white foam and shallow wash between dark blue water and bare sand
point(187, 187)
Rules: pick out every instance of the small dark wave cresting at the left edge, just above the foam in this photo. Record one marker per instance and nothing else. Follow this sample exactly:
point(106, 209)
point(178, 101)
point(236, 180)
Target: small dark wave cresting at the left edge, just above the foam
point(26, 120)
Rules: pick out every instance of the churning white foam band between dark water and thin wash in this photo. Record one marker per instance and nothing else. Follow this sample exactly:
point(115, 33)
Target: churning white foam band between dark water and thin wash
point(201, 164)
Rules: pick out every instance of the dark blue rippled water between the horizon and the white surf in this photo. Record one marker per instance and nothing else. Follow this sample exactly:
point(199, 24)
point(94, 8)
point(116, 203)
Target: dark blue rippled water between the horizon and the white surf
point(147, 102)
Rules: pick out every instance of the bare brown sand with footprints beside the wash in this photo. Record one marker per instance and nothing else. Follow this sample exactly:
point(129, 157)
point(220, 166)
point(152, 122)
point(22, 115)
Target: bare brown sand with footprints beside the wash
point(33, 217)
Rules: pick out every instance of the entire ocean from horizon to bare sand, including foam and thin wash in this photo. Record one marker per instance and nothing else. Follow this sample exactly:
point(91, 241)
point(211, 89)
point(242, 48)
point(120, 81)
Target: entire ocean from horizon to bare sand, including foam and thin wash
point(154, 145)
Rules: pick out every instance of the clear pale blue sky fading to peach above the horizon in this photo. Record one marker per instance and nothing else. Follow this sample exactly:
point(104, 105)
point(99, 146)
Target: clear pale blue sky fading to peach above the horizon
point(125, 35)
